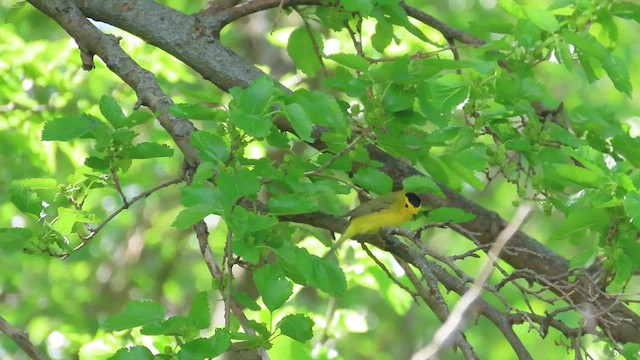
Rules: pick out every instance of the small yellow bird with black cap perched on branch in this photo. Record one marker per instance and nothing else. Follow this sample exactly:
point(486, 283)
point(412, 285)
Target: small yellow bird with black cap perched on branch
point(389, 210)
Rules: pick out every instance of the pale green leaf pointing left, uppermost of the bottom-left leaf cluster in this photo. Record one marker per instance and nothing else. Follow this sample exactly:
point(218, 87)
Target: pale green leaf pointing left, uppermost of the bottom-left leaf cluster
point(136, 313)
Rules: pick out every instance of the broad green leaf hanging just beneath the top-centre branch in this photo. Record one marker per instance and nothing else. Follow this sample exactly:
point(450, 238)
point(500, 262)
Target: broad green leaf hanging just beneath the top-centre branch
point(305, 48)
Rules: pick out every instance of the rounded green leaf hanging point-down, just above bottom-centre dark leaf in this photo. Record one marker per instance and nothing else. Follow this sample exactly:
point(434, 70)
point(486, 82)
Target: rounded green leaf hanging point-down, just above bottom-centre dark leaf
point(273, 286)
